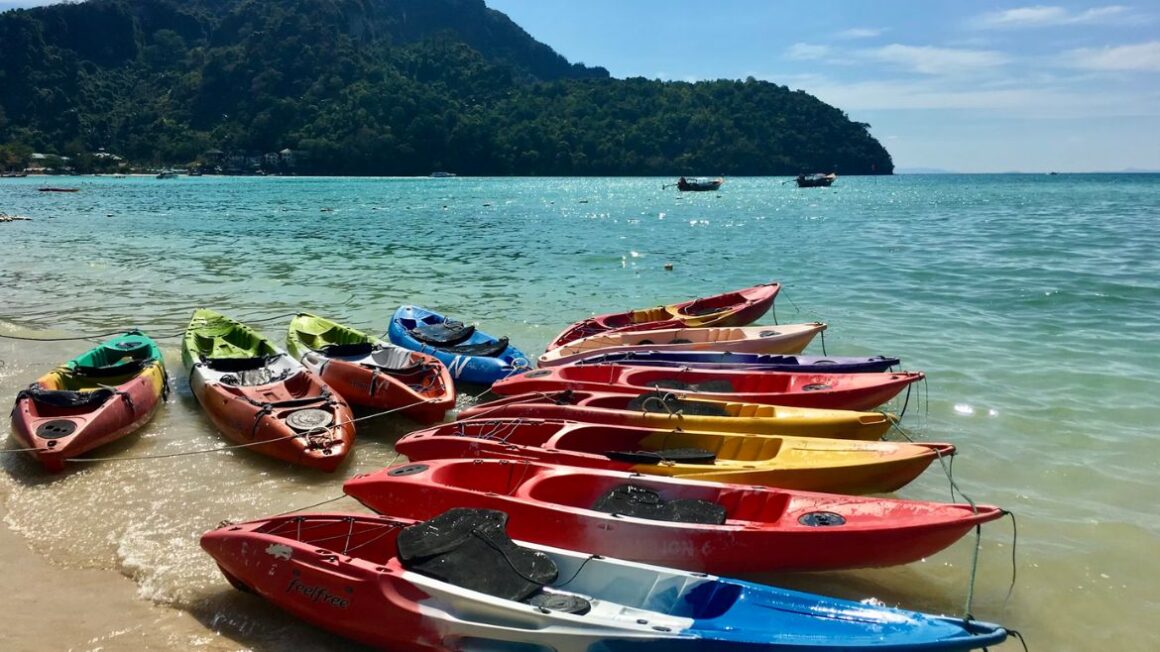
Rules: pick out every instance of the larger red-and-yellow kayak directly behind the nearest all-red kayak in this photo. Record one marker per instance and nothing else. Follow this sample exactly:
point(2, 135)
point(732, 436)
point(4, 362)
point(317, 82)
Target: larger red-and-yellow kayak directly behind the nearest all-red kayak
point(797, 463)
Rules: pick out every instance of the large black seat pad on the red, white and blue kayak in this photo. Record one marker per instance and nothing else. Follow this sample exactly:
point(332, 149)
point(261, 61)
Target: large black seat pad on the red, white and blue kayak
point(470, 549)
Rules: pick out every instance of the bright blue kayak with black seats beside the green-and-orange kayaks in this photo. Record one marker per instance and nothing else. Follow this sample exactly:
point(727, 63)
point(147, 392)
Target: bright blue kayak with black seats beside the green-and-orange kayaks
point(470, 356)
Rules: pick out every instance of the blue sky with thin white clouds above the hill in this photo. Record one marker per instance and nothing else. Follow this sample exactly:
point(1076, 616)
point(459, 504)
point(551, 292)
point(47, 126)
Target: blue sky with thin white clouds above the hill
point(966, 86)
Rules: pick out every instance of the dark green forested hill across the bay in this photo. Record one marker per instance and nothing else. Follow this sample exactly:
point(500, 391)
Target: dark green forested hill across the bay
point(386, 88)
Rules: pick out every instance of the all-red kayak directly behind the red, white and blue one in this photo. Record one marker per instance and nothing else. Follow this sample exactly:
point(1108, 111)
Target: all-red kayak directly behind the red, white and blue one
point(695, 526)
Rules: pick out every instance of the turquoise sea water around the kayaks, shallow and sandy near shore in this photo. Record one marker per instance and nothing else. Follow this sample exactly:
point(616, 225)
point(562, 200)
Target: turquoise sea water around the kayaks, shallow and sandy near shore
point(1032, 302)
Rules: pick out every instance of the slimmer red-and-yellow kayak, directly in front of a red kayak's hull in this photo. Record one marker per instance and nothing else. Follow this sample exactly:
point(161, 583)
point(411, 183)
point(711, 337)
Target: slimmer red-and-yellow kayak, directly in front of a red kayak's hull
point(679, 411)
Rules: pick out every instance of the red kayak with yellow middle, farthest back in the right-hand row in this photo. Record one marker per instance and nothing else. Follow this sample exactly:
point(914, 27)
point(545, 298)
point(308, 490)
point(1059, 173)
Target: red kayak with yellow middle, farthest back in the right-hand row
point(738, 308)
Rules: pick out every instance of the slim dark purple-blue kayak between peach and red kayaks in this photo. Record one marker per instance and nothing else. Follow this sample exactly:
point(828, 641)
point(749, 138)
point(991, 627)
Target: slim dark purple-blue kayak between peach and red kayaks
point(746, 361)
